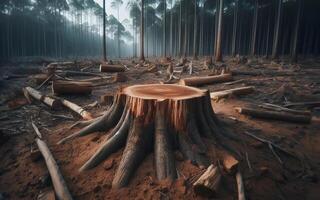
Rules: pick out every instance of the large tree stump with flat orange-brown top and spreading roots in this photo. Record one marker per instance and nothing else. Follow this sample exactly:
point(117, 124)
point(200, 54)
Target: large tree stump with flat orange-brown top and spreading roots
point(159, 118)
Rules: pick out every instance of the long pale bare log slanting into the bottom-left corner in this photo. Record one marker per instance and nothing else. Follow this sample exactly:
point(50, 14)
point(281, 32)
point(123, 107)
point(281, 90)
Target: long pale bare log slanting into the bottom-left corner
point(59, 184)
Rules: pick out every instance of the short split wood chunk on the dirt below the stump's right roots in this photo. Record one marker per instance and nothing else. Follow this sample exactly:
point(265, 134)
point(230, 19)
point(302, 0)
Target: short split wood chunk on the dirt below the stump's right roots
point(208, 183)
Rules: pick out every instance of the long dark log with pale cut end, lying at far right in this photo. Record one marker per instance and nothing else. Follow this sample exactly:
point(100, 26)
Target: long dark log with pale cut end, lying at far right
point(274, 115)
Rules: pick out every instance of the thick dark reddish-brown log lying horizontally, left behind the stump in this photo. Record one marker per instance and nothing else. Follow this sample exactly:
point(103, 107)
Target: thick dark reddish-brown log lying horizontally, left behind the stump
point(71, 87)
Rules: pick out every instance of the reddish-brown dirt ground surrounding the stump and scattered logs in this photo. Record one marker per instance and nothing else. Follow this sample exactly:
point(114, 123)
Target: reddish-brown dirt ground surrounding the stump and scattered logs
point(266, 178)
